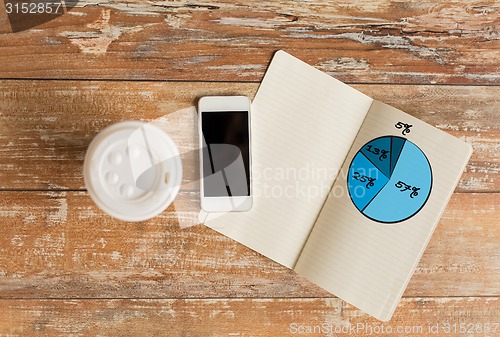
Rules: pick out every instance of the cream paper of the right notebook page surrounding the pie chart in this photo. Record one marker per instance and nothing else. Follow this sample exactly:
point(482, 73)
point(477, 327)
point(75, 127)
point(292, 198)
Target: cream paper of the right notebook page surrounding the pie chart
point(369, 263)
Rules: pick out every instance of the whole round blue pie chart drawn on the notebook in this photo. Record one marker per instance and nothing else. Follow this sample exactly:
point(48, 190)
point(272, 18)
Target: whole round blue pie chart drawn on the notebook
point(390, 179)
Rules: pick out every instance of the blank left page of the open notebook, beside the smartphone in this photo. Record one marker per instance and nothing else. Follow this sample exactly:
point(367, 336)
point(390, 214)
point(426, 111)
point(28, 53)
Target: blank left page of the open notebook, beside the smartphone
point(303, 123)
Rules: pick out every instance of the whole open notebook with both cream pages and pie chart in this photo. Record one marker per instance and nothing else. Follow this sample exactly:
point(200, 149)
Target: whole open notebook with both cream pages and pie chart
point(347, 190)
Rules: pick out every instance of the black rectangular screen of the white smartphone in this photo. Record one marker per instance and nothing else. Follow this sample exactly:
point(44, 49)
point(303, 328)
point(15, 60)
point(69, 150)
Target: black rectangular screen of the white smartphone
point(226, 157)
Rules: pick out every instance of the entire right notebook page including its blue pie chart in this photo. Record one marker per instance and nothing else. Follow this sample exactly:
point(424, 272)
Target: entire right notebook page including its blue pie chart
point(366, 261)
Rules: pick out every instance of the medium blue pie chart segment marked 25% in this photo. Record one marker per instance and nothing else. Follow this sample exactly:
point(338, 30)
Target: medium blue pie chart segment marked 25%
point(360, 193)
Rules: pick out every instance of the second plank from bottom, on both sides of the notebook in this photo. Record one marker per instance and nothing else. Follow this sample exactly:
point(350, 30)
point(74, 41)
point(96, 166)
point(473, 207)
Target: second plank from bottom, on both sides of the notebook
point(59, 245)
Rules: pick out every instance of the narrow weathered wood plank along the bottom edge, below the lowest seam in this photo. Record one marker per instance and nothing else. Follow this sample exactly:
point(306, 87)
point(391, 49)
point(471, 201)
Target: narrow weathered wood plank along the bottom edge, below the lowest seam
point(245, 317)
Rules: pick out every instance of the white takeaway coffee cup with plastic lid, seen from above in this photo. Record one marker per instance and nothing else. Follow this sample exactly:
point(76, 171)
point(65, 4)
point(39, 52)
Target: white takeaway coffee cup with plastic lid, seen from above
point(132, 170)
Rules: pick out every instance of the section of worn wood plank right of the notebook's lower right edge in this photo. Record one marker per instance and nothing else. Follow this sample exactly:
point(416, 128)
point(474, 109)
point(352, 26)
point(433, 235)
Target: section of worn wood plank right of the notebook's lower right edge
point(465, 247)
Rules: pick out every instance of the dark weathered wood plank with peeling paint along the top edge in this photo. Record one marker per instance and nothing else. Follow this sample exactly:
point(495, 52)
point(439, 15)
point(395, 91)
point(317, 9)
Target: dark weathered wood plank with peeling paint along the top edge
point(376, 41)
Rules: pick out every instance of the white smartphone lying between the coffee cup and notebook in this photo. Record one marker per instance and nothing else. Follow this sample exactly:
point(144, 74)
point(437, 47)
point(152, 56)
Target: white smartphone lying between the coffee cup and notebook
point(225, 153)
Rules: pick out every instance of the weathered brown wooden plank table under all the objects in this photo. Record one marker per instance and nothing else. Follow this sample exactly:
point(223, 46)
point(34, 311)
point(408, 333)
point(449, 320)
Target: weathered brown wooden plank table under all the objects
point(67, 269)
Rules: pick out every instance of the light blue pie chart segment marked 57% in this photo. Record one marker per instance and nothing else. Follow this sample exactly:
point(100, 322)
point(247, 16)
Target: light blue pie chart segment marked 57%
point(392, 204)
